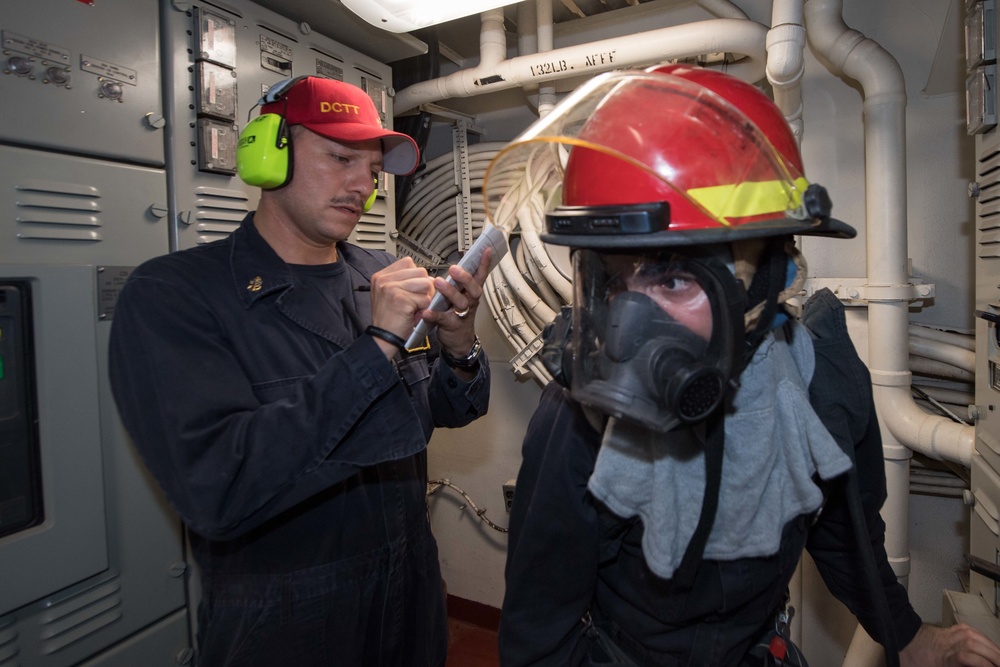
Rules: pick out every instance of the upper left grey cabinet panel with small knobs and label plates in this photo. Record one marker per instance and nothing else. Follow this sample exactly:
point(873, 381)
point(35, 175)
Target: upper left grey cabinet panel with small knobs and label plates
point(82, 78)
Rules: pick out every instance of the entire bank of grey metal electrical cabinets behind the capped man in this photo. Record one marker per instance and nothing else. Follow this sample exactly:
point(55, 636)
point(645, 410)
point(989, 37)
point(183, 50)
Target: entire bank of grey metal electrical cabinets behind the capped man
point(111, 154)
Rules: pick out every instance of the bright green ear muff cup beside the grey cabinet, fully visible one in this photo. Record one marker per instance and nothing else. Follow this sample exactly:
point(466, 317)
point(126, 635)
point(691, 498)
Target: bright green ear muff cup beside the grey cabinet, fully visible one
point(263, 156)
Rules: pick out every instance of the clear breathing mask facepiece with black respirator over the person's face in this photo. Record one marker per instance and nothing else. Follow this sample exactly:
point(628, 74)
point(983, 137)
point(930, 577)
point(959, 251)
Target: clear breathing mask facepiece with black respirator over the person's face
point(655, 335)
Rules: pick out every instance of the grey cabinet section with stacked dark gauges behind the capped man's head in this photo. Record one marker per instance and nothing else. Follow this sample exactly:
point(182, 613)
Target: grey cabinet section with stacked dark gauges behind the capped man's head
point(225, 57)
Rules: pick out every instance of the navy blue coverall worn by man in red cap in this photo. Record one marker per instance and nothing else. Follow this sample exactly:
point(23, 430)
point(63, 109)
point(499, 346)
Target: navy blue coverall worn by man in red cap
point(293, 451)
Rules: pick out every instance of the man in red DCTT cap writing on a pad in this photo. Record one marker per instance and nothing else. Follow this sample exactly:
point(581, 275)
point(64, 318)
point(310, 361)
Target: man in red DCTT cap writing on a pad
point(265, 382)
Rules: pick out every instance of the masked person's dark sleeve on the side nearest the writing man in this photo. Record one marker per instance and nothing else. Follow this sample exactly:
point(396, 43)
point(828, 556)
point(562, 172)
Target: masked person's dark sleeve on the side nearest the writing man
point(552, 552)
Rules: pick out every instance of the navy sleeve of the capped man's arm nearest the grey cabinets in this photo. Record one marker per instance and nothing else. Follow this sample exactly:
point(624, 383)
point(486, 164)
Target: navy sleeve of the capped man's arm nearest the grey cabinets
point(230, 454)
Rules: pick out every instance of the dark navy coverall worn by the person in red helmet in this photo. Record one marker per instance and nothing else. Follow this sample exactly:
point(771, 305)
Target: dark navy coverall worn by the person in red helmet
point(569, 557)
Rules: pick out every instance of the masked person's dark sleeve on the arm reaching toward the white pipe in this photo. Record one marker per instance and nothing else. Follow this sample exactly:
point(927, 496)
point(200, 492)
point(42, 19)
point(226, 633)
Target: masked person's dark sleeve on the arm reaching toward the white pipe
point(840, 392)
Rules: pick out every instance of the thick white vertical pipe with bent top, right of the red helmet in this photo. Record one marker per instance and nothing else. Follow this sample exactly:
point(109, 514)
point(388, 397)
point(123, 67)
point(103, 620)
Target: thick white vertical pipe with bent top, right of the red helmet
point(884, 92)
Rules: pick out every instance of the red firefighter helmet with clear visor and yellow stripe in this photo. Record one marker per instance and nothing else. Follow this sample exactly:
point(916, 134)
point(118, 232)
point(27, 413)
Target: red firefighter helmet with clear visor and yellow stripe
point(636, 138)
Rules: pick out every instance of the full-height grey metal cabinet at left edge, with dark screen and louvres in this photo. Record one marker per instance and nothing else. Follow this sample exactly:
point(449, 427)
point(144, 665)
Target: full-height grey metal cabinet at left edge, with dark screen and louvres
point(97, 573)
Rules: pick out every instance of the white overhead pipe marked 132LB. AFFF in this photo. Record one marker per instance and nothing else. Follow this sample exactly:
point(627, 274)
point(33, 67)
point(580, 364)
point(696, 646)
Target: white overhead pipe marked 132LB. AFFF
point(711, 36)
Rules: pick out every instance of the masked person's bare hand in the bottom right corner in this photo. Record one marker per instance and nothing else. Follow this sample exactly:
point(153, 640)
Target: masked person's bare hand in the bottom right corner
point(949, 647)
